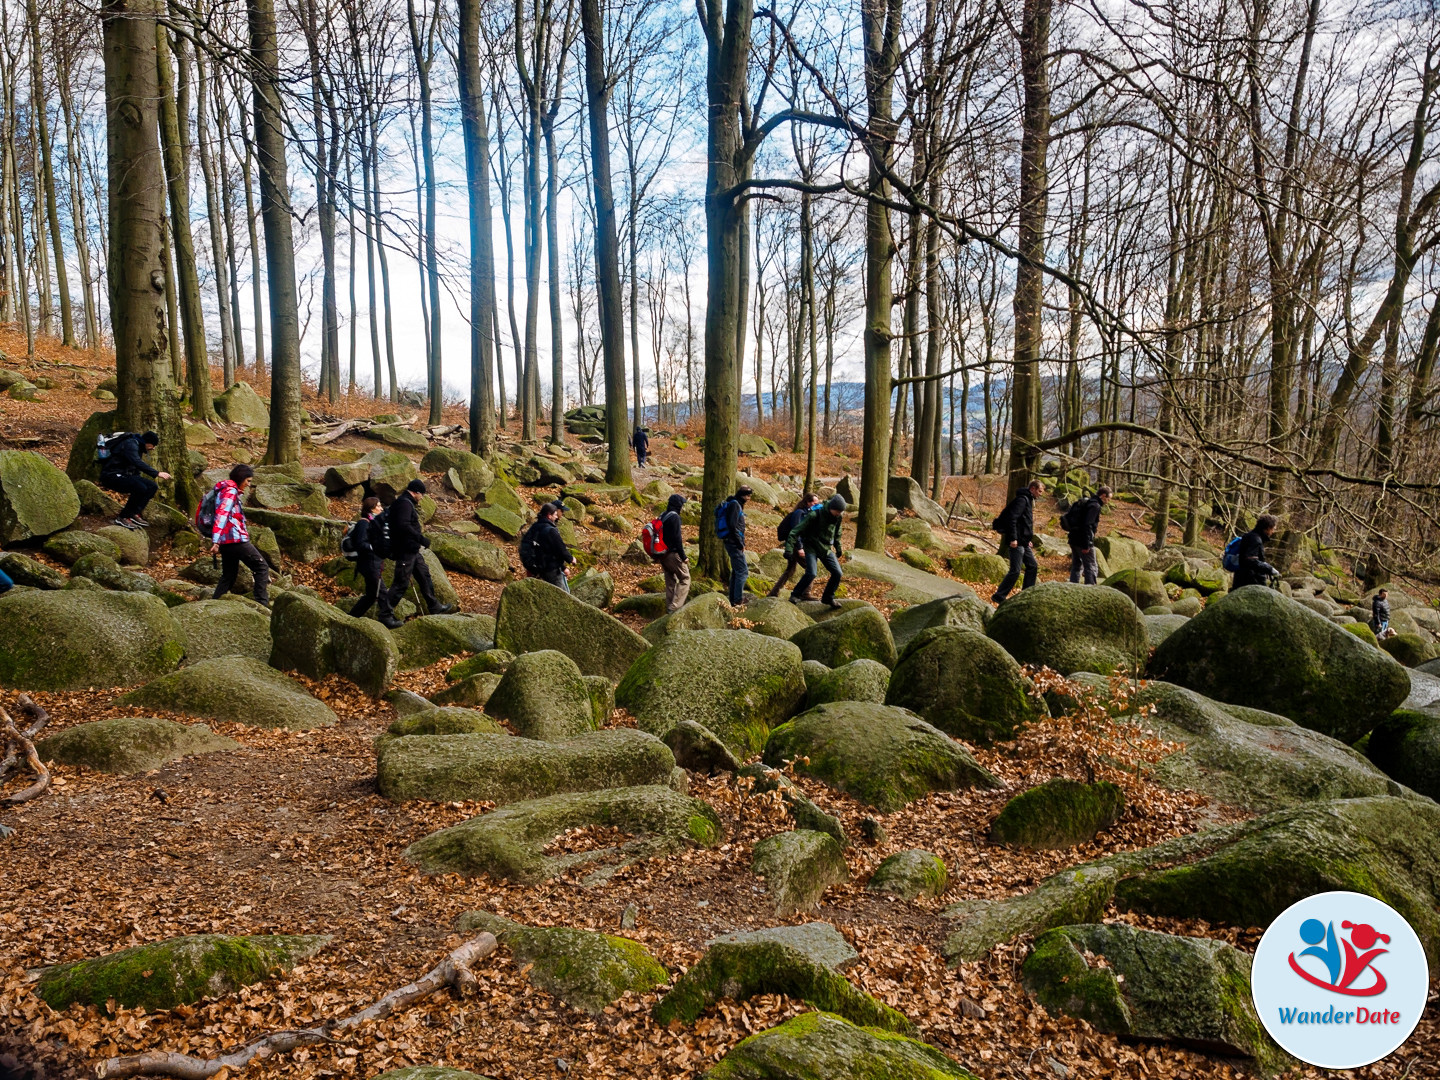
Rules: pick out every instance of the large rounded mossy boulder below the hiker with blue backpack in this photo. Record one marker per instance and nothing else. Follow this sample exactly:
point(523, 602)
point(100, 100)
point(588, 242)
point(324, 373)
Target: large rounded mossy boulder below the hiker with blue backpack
point(737, 683)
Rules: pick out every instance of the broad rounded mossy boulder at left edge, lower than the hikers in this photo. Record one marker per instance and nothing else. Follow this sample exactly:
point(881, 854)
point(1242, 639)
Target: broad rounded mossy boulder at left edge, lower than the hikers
point(73, 640)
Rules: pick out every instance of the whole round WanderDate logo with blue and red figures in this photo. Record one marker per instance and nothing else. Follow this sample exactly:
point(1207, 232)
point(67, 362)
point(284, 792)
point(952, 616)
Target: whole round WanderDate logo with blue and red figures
point(1340, 980)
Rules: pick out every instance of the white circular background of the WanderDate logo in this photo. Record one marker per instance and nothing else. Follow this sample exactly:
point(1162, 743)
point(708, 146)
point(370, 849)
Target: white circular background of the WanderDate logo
point(1349, 1045)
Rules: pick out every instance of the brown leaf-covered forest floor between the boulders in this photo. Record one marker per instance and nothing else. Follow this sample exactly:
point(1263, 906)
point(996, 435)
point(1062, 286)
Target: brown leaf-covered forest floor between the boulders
point(289, 836)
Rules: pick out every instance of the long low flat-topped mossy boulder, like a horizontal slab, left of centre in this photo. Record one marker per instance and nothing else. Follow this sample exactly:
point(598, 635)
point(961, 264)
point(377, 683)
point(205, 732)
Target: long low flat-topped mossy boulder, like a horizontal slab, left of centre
point(505, 770)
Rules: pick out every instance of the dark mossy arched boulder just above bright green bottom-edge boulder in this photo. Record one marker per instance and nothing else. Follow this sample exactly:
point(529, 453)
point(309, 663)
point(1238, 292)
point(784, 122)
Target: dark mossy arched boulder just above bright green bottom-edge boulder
point(750, 966)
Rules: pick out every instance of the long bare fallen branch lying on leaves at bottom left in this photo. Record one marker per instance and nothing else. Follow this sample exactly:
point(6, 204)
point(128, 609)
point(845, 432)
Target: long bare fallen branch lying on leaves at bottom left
point(454, 971)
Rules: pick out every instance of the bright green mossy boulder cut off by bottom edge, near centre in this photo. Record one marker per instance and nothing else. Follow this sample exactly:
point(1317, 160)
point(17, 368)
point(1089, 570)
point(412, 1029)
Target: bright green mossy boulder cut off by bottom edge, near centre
point(823, 1046)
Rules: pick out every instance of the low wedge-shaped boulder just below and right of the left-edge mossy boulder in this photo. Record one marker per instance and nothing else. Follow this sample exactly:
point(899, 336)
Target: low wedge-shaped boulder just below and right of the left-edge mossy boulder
point(235, 689)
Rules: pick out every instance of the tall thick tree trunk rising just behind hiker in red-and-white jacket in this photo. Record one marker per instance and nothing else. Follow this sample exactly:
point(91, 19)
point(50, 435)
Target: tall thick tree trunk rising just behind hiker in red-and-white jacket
point(280, 247)
